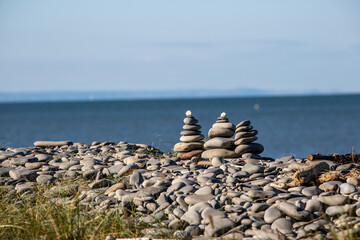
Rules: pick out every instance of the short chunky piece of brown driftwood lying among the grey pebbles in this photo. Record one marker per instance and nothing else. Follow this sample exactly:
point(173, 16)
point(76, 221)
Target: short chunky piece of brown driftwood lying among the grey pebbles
point(309, 175)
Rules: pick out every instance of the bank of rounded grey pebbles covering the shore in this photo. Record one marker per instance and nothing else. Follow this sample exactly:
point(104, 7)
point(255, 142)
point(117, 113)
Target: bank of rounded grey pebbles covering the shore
point(235, 198)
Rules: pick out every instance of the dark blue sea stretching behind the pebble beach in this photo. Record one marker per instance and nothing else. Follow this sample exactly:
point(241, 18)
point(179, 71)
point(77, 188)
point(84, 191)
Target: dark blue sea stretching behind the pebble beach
point(287, 125)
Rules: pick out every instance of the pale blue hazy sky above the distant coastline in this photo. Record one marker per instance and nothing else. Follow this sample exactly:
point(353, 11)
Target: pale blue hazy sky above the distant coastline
point(161, 45)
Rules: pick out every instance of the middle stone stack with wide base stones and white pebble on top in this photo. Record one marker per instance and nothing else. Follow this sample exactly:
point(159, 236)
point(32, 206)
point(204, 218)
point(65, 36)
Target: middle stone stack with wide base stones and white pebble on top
point(220, 144)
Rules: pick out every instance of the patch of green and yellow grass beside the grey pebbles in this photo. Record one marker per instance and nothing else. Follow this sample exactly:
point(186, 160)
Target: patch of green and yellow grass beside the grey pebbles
point(35, 216)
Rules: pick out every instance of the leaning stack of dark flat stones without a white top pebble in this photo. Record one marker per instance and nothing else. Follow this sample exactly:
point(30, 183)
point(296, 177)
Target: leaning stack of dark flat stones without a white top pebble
point(244, 140)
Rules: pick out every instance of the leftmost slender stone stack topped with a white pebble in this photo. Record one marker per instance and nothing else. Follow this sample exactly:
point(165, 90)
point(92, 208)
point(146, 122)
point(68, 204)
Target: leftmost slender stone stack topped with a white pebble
point(191, 144)
